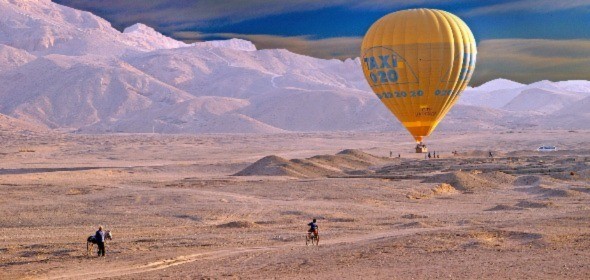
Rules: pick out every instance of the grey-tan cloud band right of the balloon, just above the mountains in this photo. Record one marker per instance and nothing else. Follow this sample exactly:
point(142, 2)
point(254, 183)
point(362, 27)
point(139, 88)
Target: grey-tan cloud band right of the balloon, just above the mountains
point(530, 60)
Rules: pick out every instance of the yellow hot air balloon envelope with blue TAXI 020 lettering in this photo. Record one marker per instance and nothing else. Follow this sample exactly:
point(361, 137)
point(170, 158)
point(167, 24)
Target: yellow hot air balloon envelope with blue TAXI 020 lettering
point(417, 62)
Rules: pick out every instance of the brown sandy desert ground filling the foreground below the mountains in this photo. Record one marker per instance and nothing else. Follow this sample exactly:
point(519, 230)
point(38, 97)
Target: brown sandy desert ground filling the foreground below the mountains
point(177, 210)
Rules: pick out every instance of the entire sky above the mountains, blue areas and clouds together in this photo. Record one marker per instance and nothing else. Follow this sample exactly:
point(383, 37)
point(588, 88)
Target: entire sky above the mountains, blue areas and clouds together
point(530, 32)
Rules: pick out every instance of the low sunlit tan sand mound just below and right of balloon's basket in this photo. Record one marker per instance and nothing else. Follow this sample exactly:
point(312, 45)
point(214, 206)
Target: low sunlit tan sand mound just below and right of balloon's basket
point(469, 181)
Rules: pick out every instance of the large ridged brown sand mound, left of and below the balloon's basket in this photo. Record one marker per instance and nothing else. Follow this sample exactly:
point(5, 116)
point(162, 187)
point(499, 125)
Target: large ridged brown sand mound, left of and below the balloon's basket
point(347, 161)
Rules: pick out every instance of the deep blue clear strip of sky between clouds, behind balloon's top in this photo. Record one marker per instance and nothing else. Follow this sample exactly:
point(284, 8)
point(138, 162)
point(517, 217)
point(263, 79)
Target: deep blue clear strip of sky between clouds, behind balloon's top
point(341, 21)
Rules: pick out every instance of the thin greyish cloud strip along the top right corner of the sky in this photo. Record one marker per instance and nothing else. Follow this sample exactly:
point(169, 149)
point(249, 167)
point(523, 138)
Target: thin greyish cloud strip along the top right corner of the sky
point(537, 6)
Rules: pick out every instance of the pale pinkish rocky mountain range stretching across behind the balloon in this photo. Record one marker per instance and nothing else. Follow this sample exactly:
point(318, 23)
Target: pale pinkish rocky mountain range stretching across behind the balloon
point(70, 70)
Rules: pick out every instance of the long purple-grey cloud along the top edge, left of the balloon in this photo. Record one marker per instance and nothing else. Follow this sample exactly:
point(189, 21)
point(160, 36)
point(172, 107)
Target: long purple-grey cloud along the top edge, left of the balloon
point(169, 14)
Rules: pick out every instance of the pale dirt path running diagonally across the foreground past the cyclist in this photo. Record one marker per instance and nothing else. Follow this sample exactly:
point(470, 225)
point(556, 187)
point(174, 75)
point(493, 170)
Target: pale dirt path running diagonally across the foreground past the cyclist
point(90, 273)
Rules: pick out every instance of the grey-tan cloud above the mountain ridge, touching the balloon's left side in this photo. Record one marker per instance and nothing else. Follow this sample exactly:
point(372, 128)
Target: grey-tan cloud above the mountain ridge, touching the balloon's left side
point(337, 47)
